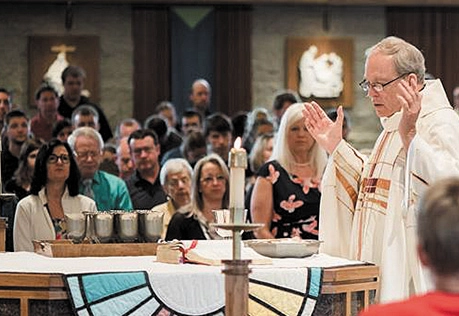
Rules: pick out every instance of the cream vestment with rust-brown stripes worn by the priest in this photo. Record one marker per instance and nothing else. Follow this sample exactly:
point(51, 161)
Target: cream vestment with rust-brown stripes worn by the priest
point(369, 206)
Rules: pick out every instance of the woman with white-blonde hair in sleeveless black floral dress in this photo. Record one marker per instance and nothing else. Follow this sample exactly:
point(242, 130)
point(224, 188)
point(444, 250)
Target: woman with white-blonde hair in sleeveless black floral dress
point(286, 195)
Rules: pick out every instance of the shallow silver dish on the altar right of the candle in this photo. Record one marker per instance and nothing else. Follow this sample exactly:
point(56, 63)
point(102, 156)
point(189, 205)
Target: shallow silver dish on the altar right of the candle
point(284, 247)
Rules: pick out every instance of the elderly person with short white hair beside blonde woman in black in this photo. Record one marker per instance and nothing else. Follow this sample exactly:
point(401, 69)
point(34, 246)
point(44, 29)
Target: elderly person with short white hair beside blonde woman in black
point(175, 178)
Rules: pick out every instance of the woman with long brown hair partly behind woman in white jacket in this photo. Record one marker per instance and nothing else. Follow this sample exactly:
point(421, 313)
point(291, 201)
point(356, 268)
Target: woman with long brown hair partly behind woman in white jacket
point(19, 184)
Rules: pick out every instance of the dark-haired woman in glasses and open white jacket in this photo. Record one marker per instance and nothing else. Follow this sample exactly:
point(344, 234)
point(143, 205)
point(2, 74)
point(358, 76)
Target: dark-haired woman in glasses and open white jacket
point(53, 194)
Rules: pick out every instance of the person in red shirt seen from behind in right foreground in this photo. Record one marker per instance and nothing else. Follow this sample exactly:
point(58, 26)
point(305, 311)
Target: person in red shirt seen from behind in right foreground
point(438, 233)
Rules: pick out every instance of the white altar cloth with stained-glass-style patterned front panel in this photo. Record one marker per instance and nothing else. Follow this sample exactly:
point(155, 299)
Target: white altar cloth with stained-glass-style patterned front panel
point(186, 289)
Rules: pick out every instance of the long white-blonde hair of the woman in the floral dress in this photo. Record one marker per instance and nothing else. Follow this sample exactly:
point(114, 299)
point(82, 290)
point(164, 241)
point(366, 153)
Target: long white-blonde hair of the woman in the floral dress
point(281, 150)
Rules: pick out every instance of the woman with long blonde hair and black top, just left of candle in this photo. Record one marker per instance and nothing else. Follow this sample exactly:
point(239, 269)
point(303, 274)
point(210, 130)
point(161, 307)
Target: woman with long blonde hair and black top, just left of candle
point(210, 192)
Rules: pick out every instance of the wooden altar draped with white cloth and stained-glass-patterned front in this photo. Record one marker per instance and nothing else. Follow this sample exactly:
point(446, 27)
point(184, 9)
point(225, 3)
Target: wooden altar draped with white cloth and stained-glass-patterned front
point(31, 284)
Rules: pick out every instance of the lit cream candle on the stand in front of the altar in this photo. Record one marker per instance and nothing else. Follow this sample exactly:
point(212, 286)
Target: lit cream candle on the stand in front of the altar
point(238, 163)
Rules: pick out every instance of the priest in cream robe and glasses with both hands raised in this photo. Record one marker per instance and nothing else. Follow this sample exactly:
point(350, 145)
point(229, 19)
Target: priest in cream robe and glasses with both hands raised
point(369, 205)
